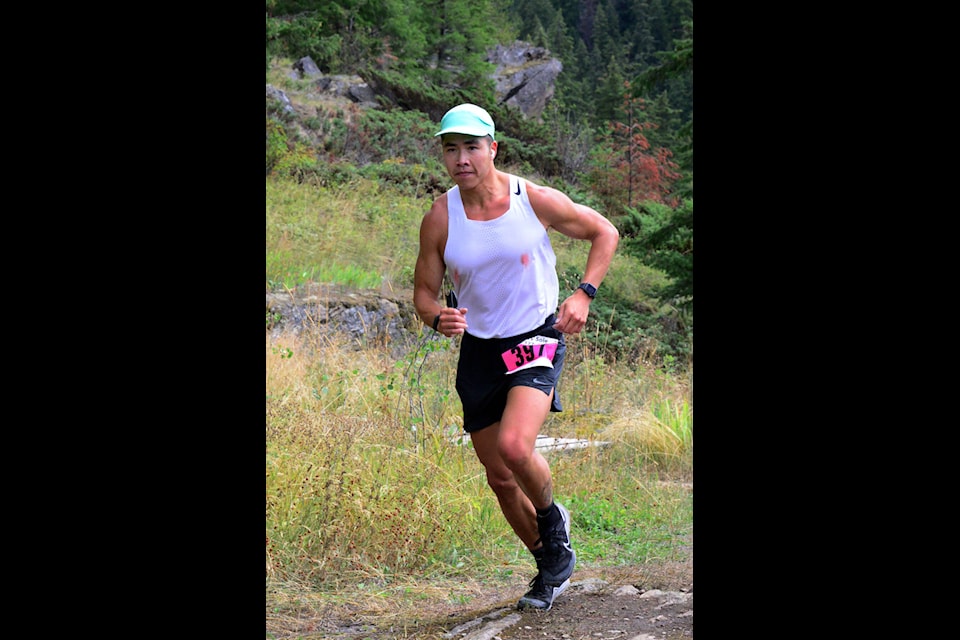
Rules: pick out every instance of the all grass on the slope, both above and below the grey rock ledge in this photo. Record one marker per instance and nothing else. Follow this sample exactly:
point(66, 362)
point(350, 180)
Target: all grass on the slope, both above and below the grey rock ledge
point(373, 494)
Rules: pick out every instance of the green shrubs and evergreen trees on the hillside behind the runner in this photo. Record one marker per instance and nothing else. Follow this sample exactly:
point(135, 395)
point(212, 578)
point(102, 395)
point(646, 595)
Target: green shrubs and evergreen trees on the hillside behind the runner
point(617, 135)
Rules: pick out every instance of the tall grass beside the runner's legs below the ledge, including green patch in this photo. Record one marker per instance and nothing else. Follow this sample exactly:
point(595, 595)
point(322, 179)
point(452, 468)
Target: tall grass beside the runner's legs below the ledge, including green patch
point(368, 476)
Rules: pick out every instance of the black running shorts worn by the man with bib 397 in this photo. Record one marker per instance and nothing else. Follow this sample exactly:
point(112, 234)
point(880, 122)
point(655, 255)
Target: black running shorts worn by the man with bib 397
point(483, 380)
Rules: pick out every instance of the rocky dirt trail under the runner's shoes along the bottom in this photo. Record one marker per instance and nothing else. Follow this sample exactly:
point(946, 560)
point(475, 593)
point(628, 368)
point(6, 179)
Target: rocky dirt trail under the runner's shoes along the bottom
point(653, 601)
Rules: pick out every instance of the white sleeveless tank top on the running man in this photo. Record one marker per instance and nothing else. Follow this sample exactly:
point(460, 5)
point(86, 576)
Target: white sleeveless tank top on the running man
point(504, 271)
